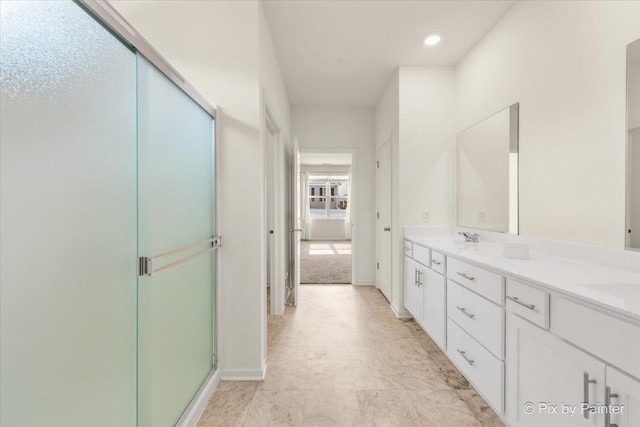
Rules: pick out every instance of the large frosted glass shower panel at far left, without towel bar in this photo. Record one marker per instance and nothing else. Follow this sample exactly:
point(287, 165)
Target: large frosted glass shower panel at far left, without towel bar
point(68, 219)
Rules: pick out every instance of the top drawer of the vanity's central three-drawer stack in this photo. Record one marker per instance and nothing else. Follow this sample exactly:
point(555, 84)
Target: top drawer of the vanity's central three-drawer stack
point(489, 285)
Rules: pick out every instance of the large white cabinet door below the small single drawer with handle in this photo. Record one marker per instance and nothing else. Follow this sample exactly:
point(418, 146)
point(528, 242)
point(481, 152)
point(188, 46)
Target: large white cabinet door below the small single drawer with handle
point(548, 379)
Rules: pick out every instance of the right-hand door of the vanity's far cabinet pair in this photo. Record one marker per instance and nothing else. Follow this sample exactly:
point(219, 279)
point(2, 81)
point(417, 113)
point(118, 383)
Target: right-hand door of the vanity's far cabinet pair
point(434, 305)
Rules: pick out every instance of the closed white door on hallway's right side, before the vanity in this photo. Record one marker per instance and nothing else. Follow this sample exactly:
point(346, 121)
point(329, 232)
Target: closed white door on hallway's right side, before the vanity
point(383, 230)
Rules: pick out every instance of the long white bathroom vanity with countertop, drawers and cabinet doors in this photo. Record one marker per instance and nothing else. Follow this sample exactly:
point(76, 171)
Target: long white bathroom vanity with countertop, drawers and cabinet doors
point(546, 341)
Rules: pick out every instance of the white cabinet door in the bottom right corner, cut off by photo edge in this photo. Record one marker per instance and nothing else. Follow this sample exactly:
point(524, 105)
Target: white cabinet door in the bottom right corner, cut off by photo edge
point(623, 392)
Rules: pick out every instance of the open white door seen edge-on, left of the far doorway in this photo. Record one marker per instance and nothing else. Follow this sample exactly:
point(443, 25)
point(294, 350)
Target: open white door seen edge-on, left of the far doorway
point(295, 225)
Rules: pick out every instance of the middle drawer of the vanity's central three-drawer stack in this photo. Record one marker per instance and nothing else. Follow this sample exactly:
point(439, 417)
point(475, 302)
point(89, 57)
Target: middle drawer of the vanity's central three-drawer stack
point(479, 317)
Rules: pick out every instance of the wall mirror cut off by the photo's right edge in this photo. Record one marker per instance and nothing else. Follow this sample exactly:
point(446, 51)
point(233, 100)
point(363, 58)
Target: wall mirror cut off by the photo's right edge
point(633, 146)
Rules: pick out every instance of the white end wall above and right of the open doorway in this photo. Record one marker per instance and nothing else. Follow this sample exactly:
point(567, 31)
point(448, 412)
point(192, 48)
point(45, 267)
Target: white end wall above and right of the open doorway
point(347, 128)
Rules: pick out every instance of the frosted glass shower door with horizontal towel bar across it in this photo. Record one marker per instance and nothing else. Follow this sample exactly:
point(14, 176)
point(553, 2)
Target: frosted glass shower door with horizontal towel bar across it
point(175, 230)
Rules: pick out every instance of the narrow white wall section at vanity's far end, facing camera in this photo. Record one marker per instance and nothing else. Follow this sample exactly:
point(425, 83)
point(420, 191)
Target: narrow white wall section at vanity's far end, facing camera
point(427, 144)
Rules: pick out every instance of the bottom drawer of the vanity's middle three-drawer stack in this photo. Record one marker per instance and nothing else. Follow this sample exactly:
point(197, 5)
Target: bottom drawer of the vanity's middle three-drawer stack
point(477, 364)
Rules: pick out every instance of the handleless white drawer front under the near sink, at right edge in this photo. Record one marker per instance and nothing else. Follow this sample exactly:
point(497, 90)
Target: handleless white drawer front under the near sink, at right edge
point(607, 337)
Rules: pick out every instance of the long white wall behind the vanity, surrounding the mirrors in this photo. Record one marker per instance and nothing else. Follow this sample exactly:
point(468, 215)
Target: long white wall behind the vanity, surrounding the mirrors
point(564, 62)
